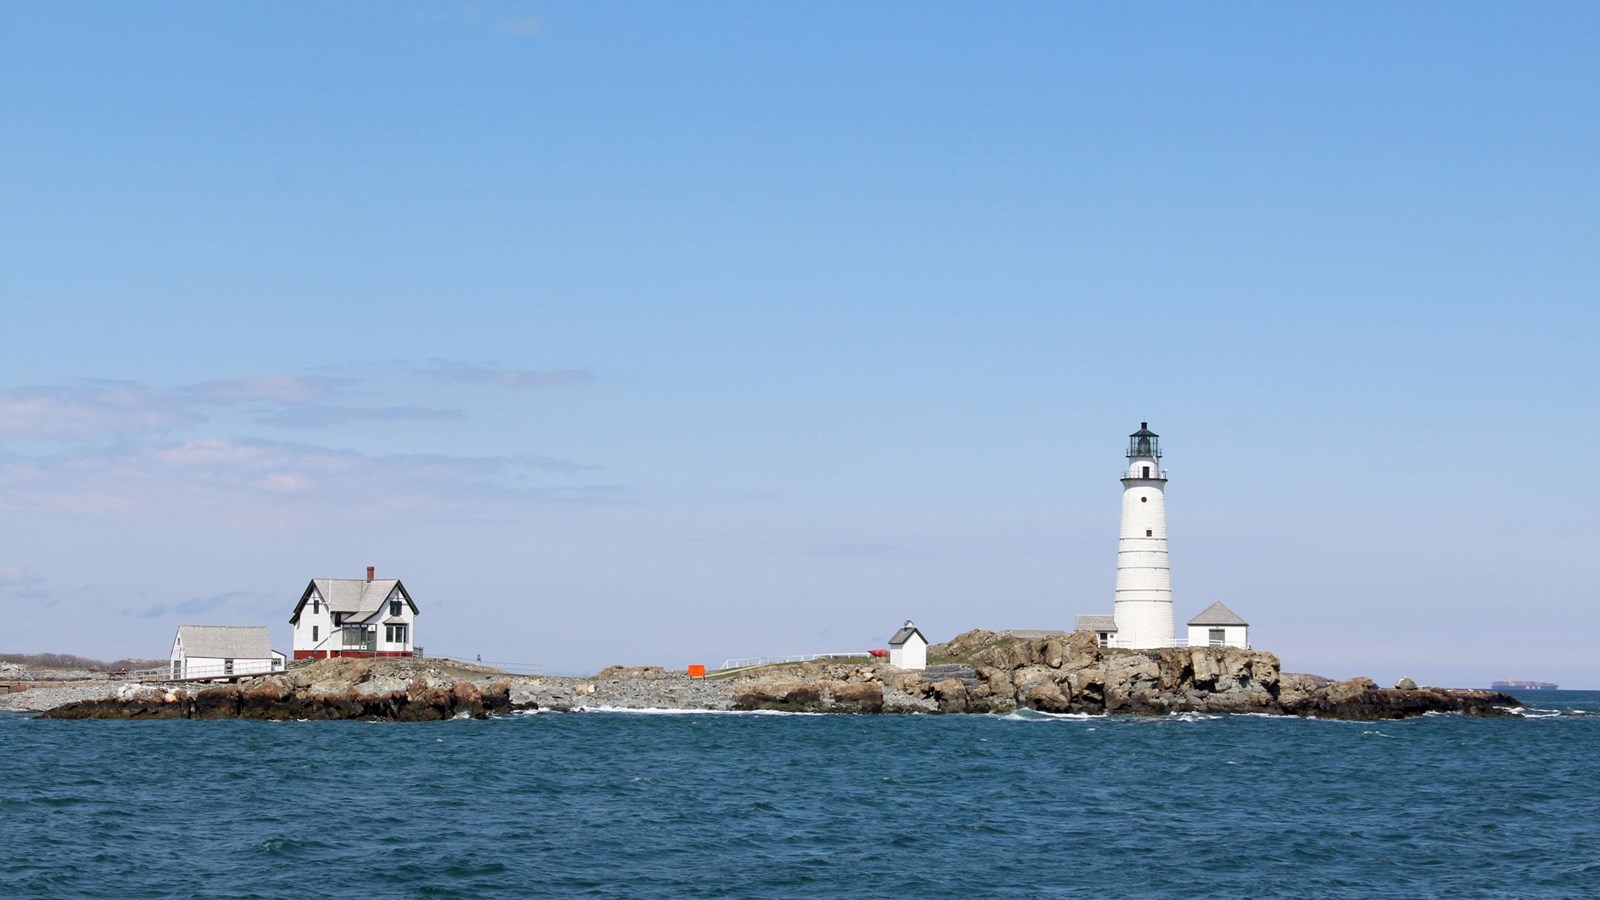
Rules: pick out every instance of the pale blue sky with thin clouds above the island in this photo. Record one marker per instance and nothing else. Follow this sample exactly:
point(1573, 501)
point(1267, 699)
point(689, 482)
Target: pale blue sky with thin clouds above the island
point(666, 334)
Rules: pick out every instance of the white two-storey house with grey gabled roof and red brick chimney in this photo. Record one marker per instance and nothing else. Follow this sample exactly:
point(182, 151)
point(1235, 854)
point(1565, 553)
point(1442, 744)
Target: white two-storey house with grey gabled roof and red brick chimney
point(354, 617)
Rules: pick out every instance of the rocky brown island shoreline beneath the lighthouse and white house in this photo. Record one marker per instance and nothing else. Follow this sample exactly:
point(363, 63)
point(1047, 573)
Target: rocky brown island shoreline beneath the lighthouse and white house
point(978, 672)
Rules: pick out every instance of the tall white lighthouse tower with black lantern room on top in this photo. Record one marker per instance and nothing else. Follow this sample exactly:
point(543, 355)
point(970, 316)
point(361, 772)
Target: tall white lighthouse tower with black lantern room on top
point(1145, 582)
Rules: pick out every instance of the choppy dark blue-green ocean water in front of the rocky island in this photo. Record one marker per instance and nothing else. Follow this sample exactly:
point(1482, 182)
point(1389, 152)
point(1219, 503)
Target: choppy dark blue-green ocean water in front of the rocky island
point(622, 805)
